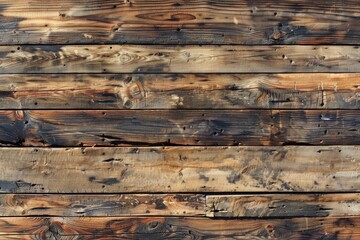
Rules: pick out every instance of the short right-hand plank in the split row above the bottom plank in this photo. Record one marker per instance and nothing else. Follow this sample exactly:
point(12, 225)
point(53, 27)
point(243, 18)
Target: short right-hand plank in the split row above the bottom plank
point(283, 205)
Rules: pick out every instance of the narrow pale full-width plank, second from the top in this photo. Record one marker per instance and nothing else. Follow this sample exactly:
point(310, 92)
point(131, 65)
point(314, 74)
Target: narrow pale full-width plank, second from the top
point(180, 59)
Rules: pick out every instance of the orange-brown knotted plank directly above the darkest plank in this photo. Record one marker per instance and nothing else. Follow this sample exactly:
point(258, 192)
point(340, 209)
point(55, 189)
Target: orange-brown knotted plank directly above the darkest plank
point(179, 91)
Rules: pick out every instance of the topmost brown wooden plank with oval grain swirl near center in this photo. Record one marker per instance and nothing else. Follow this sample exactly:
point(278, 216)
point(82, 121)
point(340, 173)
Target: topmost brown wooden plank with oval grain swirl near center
point(184, 22)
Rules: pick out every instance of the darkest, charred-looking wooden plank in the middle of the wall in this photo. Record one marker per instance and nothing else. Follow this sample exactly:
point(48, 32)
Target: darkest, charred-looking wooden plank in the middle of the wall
point(174, 127)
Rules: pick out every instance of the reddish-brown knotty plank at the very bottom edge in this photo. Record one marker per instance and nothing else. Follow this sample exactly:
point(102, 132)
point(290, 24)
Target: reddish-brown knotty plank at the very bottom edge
point(179, 228)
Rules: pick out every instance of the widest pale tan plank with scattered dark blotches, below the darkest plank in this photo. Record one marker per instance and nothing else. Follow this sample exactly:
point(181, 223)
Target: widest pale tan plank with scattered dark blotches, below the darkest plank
point(180, 169)
